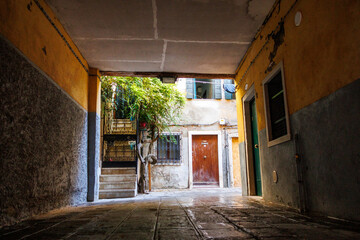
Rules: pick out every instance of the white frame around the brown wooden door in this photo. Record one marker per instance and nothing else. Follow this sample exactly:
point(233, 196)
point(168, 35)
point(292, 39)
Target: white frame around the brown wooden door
point(218, 134)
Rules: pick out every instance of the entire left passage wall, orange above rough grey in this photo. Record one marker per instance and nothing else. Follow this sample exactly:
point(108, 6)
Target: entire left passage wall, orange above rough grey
point(43, 113)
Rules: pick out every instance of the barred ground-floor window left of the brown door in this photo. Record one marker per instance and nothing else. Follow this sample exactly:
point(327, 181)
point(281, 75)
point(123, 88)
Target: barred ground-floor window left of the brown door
point(168, 149)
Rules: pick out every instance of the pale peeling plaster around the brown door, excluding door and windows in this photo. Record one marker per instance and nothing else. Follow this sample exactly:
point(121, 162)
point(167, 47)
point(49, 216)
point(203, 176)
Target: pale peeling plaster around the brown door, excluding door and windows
point(198, 111)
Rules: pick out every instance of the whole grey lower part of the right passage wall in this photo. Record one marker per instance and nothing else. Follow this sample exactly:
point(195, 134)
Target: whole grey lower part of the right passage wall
point(329, 151)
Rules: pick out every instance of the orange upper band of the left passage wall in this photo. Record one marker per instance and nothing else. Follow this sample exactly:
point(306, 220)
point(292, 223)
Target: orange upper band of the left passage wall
point(30, 32)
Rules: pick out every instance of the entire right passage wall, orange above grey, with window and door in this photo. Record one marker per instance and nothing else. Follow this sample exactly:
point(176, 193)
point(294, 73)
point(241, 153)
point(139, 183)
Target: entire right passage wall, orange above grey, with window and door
point(310, 52)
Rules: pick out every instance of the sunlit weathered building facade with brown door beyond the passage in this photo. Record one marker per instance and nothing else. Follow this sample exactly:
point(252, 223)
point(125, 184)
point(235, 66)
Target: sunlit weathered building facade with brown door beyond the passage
point(211, 117)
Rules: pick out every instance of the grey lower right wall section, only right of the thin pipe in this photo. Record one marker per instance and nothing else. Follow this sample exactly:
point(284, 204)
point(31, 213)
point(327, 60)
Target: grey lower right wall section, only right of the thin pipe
point(329, 141)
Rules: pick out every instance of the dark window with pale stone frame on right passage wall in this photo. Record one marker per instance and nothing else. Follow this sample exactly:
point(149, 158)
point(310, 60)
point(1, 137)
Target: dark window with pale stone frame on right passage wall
point(277, 120)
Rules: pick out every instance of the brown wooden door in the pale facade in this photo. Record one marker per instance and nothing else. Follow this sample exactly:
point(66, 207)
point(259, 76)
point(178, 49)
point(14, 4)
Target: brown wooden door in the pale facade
point(205, 160)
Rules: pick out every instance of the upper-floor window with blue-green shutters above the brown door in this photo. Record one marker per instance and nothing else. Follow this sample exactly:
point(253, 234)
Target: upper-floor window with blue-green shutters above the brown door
point(197, 88)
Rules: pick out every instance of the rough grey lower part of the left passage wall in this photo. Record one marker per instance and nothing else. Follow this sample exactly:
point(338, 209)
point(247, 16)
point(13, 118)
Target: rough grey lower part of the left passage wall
point(43, 141)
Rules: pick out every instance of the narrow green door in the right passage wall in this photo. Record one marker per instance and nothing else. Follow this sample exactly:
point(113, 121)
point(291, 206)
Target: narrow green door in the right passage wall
point(255, 142)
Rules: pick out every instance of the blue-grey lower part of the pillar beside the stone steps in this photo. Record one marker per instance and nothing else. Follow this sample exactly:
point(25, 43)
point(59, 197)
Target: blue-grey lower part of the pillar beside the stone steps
point(93, 156)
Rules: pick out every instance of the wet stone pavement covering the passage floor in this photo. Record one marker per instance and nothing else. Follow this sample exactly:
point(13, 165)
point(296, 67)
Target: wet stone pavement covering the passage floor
point(195, 214)
